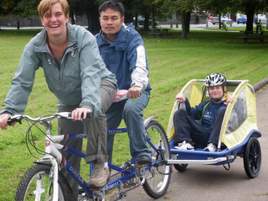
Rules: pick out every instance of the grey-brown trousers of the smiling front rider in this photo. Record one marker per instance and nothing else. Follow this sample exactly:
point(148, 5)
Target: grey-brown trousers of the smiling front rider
point(96, 130)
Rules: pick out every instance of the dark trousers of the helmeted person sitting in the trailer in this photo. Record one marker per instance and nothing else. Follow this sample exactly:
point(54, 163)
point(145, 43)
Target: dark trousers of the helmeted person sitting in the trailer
point(191, 130)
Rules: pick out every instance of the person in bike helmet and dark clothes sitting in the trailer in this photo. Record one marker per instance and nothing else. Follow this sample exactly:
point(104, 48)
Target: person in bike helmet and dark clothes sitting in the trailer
point(200, 126)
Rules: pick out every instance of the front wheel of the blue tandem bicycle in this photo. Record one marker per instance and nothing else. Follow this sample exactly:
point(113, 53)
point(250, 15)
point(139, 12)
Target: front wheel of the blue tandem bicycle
point(38, 179)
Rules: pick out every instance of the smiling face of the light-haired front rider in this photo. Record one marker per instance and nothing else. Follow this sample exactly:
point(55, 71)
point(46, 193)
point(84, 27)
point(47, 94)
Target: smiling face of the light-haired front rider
point(54, 21)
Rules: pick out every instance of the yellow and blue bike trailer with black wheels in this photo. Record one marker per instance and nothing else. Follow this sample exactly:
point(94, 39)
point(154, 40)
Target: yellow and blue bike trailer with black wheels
point(239, 132)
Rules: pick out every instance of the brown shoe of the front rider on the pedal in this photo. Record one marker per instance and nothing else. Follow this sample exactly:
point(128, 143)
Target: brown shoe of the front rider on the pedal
point(100, 176)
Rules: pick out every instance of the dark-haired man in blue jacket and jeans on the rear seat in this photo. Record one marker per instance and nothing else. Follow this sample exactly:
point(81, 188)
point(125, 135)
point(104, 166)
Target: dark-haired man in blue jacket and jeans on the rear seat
point(122, 49)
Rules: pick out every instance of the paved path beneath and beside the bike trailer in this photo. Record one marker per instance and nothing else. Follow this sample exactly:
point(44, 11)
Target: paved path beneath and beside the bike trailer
point(213, 183)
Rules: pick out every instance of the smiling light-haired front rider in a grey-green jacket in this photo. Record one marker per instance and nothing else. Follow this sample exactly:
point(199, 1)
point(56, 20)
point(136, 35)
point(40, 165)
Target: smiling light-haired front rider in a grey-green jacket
point(76, 74)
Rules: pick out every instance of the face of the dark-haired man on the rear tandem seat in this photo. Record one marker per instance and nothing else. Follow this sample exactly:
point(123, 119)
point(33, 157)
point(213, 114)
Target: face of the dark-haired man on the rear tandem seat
point(111, 22)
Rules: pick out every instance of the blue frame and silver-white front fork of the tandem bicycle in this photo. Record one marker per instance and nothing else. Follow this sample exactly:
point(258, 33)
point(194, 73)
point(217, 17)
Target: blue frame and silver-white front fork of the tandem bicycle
point(53, 149)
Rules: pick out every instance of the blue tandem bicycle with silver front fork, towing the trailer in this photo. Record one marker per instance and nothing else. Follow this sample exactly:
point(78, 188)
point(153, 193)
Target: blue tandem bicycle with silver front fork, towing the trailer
point(44, 181)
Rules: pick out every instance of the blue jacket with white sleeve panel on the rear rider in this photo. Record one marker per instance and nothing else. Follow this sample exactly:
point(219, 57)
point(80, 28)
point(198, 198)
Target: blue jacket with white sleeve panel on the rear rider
point(125, 57)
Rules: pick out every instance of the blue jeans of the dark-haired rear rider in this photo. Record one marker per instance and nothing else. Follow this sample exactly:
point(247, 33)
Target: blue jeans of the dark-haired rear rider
point(132, 112)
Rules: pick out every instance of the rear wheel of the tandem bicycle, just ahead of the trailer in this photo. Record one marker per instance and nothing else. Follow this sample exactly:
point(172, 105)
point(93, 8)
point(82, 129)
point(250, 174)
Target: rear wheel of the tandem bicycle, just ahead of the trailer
point(157, 185)
